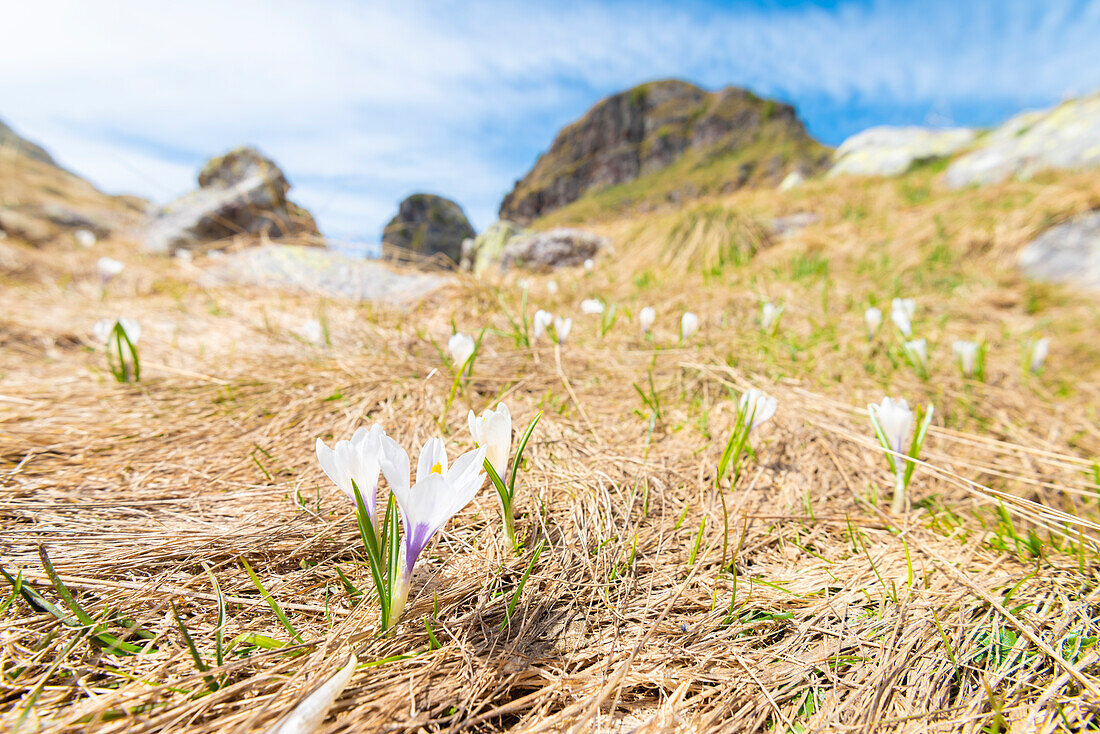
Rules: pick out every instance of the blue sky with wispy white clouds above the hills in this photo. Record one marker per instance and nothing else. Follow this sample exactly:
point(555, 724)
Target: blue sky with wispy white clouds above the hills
point(366, 103)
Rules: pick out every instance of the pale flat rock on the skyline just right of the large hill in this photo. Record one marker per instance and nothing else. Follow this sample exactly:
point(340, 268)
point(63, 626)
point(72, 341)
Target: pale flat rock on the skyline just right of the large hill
point(889, 151)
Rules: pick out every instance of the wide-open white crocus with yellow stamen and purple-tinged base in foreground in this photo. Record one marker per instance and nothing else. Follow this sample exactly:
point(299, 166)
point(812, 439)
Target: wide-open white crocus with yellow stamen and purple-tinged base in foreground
point(439, 494)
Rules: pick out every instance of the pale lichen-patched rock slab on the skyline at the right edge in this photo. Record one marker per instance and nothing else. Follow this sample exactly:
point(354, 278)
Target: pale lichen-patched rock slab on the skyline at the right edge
point(1066, 137)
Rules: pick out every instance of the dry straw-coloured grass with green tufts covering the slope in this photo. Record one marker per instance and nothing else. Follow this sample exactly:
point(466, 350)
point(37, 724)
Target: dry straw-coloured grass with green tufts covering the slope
point(807, 607)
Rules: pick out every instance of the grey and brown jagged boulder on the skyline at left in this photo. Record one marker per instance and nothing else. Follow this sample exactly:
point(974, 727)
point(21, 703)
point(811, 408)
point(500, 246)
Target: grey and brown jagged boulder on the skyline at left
point(240, 193)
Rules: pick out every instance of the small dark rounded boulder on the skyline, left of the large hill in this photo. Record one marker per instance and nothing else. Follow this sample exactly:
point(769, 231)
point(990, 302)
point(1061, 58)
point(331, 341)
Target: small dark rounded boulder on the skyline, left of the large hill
point(427, 225)
